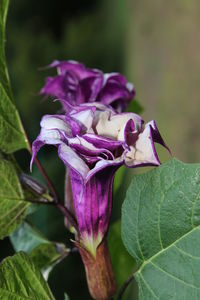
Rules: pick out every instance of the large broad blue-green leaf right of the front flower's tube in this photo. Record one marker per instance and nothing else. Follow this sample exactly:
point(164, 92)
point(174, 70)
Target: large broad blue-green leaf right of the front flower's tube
point(161, 230)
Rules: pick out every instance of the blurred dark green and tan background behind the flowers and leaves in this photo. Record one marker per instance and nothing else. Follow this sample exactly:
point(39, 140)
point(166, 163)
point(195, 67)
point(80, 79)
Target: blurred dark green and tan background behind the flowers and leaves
point(154, 43)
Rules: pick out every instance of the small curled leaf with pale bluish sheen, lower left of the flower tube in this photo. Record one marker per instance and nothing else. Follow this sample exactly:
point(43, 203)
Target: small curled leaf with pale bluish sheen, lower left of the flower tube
point(44, 254)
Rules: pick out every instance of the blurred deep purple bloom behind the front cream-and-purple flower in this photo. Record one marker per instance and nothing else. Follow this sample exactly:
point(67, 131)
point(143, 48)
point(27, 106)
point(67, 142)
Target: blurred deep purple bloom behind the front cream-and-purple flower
point(76, 84)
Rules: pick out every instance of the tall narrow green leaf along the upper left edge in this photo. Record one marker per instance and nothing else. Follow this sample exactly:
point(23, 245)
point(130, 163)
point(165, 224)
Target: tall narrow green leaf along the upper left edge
point(12, 136)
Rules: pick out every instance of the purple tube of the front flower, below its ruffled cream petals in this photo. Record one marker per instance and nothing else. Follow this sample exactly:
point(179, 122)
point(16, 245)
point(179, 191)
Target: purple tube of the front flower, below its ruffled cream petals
point(94, 209)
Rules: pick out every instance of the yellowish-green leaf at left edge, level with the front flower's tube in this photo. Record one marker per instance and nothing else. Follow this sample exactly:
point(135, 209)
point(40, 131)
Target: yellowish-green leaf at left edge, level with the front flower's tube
point(13, 206)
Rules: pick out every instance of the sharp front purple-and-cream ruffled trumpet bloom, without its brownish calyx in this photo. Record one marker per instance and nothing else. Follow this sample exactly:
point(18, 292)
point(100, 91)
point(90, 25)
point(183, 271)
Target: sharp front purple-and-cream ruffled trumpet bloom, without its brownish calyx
point(93, 141)
